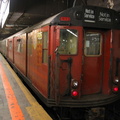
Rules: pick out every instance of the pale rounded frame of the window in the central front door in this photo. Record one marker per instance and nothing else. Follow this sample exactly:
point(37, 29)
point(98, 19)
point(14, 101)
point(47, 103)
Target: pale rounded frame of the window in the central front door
point(100, 44)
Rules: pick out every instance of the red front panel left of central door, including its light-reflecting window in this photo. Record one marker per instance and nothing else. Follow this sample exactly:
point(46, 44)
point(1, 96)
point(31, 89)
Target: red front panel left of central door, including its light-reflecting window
point(68, 59)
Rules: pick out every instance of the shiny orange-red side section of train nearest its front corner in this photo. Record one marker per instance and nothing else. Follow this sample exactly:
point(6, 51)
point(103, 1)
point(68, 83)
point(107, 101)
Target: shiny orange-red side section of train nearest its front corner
point(37, 59)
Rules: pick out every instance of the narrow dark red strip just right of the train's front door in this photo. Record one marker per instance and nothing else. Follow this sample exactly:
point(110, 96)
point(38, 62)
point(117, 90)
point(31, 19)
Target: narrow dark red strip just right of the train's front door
point(106, 85)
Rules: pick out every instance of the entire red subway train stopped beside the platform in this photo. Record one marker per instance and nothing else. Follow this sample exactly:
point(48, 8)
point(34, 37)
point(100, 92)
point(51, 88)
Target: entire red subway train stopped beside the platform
point(70, 60)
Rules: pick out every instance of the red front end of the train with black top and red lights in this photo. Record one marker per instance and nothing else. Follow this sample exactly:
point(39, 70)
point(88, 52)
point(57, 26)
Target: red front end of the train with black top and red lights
point(85, 58)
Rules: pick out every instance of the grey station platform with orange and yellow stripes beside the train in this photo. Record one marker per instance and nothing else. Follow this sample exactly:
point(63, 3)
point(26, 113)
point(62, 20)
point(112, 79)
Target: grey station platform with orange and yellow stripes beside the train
point(16, 102)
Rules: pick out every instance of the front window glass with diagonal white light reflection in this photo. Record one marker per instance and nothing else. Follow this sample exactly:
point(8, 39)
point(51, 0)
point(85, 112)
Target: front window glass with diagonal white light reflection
point(68, 41)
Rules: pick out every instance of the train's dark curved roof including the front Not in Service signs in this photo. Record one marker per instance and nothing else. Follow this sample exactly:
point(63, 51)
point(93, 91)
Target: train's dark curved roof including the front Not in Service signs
point(86, 16)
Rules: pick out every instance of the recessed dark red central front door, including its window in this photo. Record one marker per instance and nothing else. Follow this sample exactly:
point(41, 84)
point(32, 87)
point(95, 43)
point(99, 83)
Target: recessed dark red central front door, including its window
point(92, 62)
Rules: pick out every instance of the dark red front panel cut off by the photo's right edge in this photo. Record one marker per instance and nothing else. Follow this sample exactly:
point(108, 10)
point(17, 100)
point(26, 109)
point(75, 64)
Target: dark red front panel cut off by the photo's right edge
point(116, 57)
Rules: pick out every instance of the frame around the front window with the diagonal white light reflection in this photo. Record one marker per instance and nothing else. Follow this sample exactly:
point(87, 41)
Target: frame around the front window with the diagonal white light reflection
point(76, 43)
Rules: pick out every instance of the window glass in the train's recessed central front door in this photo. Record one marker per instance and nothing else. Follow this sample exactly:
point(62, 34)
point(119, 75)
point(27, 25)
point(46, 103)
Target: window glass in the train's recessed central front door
point(93, 43)
